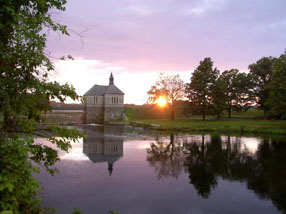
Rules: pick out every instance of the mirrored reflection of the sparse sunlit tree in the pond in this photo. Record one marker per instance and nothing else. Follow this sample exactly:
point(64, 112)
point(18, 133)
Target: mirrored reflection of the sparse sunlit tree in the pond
point(166, 157)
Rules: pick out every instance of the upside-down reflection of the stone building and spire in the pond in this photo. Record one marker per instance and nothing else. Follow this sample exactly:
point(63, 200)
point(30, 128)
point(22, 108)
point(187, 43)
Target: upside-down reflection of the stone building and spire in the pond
point(103, 144)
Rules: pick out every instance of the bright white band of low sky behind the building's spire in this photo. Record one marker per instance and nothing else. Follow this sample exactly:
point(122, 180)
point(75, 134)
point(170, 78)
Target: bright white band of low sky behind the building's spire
point(83, 74)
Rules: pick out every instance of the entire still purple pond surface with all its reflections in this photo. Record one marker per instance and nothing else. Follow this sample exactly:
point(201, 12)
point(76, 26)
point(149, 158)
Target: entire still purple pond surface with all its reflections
point(132, 171)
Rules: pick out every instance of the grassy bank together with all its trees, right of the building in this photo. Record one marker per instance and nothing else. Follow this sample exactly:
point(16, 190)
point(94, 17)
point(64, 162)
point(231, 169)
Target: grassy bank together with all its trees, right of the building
point(228, 101)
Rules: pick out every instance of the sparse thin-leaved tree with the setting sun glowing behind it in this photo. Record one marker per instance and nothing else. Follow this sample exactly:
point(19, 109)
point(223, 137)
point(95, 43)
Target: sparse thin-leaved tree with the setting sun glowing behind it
point(171, 87)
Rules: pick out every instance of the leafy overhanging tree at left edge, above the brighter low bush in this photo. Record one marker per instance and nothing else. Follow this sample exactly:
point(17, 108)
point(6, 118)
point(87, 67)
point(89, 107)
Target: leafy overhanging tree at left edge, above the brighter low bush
point(24, 64)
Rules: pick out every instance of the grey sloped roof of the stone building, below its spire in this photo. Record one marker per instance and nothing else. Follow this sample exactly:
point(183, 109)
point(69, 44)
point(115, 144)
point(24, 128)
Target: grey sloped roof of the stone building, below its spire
point(101, 90)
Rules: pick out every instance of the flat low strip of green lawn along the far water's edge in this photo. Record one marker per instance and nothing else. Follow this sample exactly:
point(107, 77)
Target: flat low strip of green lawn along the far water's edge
point(221, 126)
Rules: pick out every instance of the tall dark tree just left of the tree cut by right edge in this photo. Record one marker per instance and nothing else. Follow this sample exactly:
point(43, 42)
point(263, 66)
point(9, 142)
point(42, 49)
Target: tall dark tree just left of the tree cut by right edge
point(262, 75)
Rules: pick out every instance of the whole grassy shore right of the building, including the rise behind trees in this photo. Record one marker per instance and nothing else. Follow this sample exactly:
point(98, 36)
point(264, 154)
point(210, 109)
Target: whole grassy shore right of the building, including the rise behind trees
point(242, 122)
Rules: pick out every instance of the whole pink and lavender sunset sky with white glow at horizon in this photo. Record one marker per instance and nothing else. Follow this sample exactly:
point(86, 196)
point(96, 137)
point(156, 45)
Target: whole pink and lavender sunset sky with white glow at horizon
point(136, 40)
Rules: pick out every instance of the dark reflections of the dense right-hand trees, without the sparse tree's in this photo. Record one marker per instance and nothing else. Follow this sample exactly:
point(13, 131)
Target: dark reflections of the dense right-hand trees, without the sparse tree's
point(264, 171)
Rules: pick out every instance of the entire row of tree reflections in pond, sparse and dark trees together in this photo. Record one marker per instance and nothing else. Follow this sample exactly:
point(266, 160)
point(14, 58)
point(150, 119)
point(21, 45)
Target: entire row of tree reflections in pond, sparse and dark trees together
point(263, 171)
